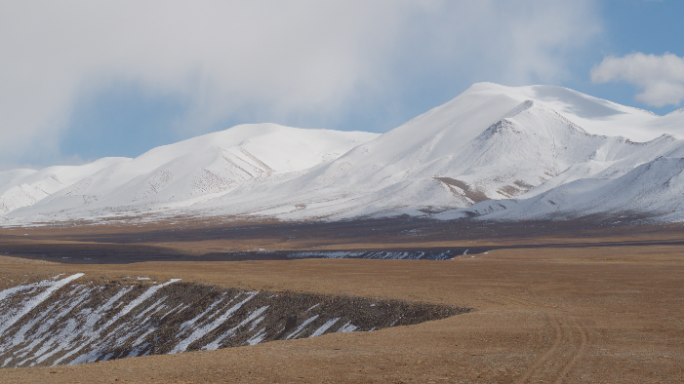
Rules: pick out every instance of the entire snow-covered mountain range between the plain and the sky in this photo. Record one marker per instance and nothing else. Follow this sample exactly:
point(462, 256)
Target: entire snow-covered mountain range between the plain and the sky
point(493, 152)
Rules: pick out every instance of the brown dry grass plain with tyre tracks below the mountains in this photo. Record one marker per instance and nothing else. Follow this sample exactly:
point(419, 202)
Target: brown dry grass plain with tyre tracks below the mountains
point(573, 302)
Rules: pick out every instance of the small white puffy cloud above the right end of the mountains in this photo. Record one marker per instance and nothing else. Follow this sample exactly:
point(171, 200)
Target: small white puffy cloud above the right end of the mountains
point(661, 78)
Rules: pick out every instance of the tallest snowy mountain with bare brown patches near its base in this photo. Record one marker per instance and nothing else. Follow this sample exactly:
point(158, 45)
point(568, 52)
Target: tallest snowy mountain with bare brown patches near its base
point(485, 144)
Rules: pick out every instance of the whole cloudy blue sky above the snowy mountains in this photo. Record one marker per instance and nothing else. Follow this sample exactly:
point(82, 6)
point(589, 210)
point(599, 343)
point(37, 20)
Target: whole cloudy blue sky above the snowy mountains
point(85, 80)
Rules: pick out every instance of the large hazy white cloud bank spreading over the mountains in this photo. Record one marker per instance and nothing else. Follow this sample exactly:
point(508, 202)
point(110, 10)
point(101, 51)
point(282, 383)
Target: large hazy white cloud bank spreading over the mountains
point(266, 58)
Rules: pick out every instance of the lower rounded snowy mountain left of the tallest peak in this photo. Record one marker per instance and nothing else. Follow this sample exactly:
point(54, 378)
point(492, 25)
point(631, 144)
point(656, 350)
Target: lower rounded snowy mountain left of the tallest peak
point(197, 169)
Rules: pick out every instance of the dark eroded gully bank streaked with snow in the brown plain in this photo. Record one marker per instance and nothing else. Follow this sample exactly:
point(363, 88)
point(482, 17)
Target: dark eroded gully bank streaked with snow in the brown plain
point(82, 322)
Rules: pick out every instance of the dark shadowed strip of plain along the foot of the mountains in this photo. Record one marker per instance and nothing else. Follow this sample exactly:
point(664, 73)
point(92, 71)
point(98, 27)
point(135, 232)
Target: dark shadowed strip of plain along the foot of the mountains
point(105, 244)
